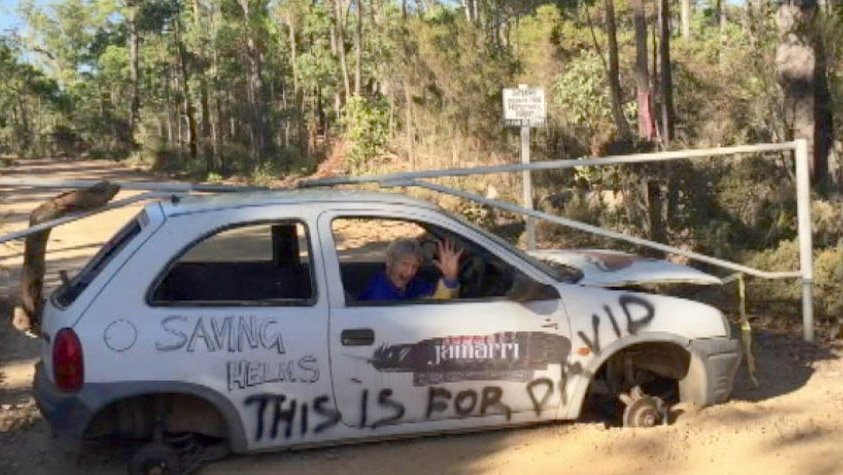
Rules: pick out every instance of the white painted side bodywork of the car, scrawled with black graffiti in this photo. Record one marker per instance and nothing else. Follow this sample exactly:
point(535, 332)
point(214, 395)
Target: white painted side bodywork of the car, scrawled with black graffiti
point(191, 343)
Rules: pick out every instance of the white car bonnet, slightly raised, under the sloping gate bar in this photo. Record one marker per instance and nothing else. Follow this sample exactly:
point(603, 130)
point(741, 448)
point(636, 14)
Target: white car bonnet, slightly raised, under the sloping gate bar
point(607, 268)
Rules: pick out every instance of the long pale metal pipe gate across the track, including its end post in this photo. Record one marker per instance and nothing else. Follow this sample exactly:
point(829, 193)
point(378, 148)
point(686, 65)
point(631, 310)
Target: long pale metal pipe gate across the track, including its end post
point(799, 146)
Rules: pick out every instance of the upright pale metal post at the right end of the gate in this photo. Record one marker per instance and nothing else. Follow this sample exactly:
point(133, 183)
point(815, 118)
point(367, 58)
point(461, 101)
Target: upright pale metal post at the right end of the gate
point(803, 213)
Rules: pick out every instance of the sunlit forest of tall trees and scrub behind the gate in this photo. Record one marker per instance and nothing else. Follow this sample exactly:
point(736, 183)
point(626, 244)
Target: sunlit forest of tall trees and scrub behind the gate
point(269, 90)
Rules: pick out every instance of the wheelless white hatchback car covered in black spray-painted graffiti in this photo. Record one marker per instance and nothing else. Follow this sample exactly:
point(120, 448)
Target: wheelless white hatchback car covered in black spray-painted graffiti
point(230, 323)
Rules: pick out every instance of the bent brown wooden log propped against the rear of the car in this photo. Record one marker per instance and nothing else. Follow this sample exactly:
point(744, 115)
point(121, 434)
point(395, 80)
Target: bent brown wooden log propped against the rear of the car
point(27, 317)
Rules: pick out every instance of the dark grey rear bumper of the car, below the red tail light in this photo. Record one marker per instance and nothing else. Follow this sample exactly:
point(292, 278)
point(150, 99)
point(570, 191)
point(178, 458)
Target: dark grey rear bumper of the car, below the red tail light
point(66, 413)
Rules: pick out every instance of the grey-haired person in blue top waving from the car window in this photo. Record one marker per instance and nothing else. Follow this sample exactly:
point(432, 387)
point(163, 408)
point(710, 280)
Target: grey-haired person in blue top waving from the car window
point(399, 280)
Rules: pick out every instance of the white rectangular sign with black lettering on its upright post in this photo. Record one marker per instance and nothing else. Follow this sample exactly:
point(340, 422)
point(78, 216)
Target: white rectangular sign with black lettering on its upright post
point(525, 107)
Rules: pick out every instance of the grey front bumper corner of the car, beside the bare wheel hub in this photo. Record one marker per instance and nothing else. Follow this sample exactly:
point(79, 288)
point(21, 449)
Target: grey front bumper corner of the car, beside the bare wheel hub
point(714, 364)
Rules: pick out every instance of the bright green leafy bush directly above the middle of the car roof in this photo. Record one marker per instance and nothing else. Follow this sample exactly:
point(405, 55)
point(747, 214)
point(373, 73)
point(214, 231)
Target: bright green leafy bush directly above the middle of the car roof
point(365, 122)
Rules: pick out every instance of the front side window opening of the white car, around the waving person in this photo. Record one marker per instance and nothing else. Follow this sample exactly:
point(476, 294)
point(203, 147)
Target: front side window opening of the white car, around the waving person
point(361, 249)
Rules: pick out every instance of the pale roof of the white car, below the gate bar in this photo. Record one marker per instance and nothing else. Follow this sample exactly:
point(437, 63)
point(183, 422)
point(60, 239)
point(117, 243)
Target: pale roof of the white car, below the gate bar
point(198, 203)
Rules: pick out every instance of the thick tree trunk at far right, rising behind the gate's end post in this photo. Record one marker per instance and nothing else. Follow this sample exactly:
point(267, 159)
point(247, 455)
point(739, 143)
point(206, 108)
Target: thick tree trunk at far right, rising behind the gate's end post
point(798, 74)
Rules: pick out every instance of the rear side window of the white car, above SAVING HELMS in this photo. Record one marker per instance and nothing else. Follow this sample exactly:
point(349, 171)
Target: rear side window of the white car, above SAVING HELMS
point(255, 264)
